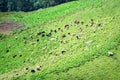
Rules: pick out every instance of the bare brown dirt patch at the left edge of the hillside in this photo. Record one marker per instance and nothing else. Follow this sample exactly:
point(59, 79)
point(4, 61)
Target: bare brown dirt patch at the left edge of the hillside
point(8, 26)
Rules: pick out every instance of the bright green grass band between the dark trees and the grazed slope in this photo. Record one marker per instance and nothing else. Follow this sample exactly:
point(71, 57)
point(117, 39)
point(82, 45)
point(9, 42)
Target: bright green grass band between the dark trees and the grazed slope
point(44, 15)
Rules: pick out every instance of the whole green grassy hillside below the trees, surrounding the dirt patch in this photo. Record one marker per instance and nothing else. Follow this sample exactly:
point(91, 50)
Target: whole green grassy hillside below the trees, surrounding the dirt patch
point(79, 40)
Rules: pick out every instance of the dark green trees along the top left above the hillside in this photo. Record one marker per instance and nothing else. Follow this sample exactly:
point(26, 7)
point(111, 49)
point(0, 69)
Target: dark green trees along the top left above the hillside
point(27, 5)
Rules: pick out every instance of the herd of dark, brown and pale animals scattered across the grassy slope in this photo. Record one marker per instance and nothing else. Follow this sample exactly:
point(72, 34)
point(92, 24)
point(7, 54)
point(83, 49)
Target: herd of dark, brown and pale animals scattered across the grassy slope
point(55, 31)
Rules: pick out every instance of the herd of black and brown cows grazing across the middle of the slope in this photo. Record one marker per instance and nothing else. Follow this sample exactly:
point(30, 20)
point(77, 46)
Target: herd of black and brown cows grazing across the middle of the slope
point(53, 32)
